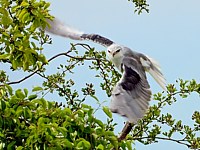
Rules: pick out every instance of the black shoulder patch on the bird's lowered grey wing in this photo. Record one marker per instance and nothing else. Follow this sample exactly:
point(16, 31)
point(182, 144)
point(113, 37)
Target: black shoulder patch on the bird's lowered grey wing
point(131, 79)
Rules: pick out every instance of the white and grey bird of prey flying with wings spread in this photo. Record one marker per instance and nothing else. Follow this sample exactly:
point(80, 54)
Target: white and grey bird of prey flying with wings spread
point(131, 95)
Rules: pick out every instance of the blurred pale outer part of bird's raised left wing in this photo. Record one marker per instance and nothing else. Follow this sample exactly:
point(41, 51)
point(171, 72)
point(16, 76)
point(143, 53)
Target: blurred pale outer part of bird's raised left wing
point(59, 28)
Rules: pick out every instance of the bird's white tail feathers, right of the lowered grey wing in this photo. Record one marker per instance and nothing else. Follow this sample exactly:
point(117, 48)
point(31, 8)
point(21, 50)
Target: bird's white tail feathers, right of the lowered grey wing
point(154, 70)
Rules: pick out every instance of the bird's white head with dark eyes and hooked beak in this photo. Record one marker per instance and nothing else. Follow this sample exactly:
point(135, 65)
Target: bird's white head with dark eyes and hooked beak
point(115, 52)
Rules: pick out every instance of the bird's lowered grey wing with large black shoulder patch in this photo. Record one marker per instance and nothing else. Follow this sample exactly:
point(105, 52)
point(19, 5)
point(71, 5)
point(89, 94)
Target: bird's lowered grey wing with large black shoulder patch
point(131, 95)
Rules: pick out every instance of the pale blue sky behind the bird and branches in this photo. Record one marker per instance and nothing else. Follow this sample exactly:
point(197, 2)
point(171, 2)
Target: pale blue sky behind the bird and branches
point(170, 33)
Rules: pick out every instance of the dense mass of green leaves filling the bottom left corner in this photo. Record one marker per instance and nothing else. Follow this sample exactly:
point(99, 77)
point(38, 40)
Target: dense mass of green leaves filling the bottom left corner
point(28, 121)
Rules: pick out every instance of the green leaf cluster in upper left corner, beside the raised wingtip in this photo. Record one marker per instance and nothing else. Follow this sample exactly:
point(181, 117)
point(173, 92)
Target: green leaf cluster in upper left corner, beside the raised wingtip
point(20, 40)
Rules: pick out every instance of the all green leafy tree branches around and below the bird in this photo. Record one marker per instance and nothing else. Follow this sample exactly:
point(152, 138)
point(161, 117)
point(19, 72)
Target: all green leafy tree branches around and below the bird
point(29, 121)
